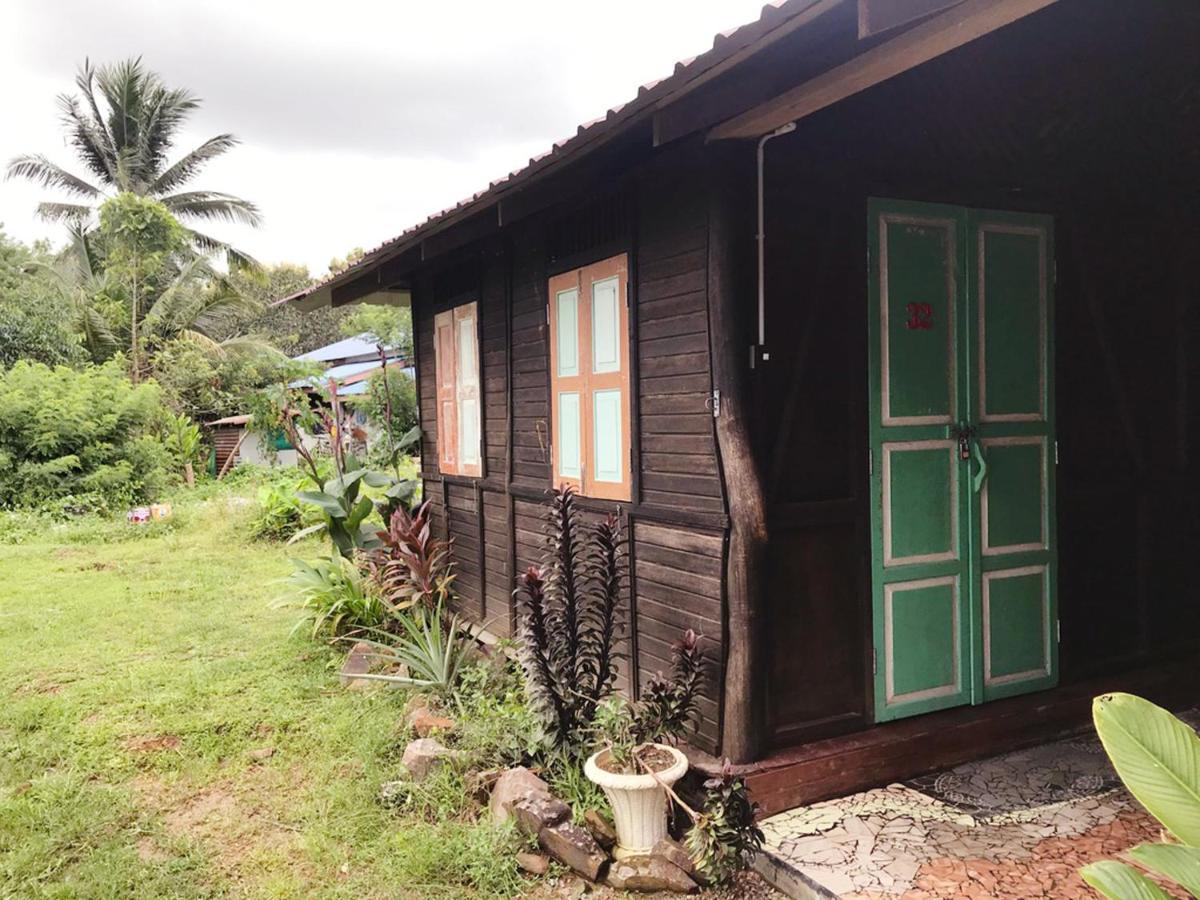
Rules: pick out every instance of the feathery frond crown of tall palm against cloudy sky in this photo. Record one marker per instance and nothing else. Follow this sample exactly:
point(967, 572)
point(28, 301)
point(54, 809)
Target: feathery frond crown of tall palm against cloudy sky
point(124, 142)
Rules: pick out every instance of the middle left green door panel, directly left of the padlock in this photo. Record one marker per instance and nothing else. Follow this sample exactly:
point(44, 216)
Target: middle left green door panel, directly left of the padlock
point(920, 502)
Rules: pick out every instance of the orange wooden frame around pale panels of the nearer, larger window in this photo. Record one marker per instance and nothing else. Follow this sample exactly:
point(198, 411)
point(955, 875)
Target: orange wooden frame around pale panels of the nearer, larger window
point(587, 383)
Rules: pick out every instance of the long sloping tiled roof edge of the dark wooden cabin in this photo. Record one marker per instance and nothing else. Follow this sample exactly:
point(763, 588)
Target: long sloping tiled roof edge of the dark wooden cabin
point(727, 46)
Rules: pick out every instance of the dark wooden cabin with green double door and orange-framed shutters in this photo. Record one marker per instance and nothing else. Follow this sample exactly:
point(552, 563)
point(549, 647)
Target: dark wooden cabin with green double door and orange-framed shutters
point(879, 325)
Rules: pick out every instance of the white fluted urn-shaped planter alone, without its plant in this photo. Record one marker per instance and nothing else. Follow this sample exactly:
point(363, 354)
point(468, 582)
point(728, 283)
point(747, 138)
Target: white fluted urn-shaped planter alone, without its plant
point(639, 802)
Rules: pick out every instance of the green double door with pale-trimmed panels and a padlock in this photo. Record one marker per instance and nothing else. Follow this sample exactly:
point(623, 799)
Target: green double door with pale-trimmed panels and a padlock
point(963, 457)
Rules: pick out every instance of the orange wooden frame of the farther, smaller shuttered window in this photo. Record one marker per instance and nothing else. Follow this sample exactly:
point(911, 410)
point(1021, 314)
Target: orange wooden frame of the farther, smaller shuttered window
point(454, 388)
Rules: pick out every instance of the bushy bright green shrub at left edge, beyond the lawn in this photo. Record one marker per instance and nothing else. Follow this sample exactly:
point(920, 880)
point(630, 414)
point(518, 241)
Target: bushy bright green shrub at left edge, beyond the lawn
point(88, 434)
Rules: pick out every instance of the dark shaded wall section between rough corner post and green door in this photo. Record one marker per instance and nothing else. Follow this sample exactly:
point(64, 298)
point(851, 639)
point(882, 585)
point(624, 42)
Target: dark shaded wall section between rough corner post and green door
point(812, 430)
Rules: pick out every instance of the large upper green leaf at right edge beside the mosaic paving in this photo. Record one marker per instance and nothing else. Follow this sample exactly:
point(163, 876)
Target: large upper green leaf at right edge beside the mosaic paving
point(1159, 759)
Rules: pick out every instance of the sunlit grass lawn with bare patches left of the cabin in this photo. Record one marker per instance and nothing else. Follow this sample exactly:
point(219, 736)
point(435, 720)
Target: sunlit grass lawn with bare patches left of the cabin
point(164, 734)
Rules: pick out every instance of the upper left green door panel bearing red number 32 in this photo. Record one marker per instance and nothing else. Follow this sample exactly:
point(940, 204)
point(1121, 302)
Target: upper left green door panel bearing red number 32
point(919, 301)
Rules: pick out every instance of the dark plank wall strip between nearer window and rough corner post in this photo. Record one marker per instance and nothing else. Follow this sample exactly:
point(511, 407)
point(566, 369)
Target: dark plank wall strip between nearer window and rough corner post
point(680, 535)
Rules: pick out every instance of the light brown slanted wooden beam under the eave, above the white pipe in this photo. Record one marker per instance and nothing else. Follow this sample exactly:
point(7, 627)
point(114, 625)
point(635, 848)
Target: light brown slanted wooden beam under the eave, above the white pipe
point(927, 41)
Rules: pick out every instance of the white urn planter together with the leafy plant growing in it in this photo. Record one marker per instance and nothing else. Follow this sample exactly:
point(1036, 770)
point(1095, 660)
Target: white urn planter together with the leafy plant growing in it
point(635, 767)
